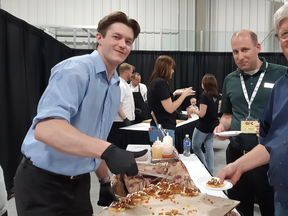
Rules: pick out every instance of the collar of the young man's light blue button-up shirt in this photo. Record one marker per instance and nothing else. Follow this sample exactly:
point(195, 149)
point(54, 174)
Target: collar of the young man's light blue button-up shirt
point(100, 67)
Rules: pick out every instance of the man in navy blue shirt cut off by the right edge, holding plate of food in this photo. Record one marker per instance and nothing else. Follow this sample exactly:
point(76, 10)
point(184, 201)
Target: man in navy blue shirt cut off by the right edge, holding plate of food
point(273, 132)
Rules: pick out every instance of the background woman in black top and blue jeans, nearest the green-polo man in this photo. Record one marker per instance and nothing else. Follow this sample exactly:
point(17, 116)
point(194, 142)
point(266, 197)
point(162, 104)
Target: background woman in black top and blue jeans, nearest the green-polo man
point(208, 120)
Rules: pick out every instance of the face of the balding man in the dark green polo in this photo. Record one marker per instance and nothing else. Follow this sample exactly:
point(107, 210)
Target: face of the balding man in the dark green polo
point(245, 53)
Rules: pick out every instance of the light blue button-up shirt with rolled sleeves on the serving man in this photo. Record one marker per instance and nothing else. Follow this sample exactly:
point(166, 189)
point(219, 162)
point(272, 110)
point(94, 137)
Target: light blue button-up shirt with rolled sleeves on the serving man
point(79, 93)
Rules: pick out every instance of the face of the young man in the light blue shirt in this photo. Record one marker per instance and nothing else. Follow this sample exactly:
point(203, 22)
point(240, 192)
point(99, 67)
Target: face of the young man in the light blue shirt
point(116, 45)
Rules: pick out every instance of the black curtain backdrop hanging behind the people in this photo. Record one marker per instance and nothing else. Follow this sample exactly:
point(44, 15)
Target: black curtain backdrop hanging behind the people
point(27, 55)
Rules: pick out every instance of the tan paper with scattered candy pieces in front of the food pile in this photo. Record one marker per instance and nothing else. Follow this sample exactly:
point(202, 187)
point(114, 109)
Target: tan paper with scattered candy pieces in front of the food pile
point(200, 205)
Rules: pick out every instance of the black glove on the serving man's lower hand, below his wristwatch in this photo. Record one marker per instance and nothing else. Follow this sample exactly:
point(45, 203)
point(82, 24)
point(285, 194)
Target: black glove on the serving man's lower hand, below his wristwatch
point(106, 195)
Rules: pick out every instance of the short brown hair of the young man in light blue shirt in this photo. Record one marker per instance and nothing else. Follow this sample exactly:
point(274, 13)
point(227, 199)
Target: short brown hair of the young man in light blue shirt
point(114, 17)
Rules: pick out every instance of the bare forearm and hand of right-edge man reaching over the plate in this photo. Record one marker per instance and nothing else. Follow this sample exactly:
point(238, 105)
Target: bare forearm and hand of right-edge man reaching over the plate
point(256, 157)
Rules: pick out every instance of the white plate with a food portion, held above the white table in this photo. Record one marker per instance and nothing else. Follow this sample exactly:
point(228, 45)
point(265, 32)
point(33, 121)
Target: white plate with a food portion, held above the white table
point(214, 183)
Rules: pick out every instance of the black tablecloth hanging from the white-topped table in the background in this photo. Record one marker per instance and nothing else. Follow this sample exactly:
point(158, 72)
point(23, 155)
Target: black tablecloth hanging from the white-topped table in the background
point(142, 137)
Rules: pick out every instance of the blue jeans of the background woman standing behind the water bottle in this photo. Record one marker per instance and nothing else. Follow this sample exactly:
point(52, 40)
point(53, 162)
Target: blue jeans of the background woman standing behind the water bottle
point(197, 139)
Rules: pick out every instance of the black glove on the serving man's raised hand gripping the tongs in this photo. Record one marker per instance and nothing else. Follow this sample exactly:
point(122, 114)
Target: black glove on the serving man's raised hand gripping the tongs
point(120, 161)
